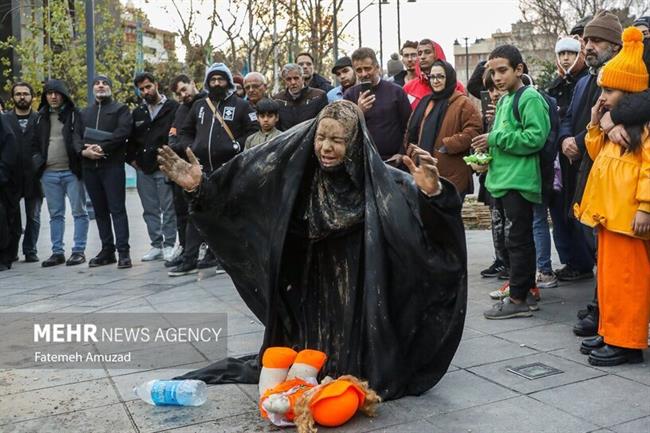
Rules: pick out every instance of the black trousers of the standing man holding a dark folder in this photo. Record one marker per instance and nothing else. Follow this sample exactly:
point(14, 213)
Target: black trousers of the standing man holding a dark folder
point(107, 190)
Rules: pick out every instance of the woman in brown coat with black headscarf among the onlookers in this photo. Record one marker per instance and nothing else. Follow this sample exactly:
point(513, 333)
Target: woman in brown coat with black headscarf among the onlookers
point(444, 124)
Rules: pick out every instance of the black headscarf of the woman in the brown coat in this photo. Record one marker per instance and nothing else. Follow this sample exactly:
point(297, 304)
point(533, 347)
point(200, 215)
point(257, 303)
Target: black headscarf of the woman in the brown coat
point(433, 121)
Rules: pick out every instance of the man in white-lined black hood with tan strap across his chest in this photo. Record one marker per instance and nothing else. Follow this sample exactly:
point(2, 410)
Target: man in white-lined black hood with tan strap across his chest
point(215, 129)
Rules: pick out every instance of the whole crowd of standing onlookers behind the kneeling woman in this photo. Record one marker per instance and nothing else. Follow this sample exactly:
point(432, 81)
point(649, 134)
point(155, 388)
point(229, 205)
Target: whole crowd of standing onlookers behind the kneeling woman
point(577, 151)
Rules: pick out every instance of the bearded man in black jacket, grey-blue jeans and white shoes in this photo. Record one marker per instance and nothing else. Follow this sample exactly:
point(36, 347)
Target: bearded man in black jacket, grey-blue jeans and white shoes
point(152, 121)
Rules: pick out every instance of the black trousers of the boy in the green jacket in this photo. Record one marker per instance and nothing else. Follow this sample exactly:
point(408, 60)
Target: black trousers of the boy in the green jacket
point(519, 242)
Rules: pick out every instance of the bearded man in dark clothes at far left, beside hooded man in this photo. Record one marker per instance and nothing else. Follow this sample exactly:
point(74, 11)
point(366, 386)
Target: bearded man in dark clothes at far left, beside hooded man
point(21, 120)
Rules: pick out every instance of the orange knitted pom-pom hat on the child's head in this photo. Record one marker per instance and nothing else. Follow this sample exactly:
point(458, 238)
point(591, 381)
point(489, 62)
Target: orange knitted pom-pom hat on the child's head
point(626, 71)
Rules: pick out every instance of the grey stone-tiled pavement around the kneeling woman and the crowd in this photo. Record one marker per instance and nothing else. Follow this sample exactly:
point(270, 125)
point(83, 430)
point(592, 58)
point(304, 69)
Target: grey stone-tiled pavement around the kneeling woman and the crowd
point(478, 394)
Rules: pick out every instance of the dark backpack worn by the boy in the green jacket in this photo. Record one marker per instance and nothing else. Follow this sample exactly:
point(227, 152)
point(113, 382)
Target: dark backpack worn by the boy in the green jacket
point(550, 150)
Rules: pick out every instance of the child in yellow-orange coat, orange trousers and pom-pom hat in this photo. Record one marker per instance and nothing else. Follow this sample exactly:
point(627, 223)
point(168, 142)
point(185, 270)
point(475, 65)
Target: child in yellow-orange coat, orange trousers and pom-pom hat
point(617, 202)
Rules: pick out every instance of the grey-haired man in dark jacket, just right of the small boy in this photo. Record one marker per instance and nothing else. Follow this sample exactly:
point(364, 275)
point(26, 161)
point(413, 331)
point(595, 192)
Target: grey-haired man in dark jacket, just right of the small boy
point(298, 102)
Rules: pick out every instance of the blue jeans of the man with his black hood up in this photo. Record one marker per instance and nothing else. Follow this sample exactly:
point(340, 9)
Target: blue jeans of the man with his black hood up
point(56, 186)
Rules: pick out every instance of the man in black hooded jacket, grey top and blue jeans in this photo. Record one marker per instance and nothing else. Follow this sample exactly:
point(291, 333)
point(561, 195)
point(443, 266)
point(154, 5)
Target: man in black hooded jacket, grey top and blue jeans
point(56, 155)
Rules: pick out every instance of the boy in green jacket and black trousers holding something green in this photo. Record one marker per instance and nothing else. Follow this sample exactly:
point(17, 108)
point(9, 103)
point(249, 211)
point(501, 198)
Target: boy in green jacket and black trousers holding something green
point(514, 177)
